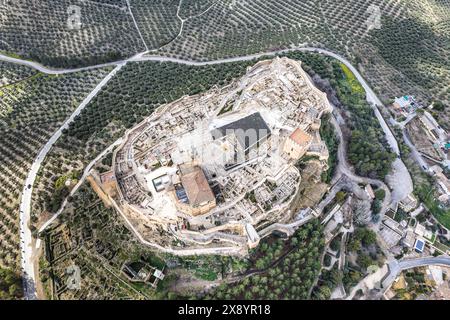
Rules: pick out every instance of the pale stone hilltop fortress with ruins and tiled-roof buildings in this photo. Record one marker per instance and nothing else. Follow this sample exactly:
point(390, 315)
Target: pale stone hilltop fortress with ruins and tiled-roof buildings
point(215, 172)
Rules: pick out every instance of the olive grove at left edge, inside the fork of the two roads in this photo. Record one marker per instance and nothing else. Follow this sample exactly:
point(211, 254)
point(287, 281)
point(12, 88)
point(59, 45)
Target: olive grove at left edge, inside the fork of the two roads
point(30, 111)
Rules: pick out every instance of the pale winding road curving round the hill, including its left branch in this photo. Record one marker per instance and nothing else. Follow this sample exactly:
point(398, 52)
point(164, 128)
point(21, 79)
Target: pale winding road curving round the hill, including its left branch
point(26, 242)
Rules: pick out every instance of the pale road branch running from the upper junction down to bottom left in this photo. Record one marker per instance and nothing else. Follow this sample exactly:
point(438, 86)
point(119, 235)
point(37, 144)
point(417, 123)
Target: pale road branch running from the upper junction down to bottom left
point(26, 243)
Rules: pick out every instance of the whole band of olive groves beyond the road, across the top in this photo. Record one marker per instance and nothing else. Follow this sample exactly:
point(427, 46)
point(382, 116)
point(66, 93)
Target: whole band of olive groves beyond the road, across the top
point(403, 50)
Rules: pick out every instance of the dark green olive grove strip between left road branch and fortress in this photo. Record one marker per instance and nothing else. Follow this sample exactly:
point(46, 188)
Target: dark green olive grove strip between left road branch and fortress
point(131, 95)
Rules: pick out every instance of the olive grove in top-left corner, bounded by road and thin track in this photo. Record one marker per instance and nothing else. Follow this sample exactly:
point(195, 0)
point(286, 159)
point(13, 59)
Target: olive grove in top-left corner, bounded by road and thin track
point(107, 32)
